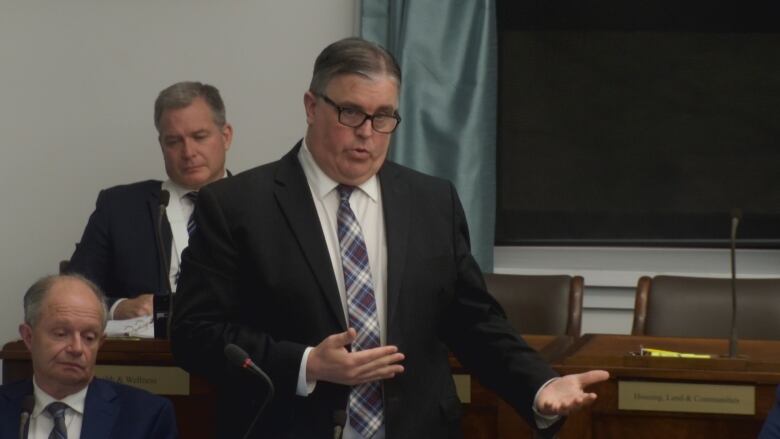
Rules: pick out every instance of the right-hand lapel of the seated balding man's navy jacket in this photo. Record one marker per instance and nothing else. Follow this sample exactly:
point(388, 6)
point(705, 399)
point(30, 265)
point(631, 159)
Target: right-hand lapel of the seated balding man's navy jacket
point(100, 411)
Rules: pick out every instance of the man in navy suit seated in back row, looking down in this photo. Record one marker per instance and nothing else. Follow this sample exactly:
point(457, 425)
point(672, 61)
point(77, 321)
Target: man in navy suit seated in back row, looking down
point(119, 250)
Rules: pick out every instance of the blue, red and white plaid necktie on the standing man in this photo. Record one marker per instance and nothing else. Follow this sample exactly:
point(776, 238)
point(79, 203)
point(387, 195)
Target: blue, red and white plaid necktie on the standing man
point(365, 400)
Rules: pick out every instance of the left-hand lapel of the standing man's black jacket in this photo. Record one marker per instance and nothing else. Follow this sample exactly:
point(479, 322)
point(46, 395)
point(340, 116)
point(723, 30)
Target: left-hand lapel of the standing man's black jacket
point(297, 205)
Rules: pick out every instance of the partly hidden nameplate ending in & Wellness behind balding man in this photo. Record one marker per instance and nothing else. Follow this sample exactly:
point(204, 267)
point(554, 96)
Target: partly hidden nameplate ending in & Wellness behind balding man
point(155, 379)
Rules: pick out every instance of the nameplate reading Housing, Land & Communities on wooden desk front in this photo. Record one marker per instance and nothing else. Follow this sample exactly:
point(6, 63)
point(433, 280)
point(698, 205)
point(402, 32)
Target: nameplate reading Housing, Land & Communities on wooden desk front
point(687, 397)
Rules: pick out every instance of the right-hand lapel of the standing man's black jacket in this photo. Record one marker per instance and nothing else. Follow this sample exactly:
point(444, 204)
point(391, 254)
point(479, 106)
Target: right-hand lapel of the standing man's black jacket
point(396, 207)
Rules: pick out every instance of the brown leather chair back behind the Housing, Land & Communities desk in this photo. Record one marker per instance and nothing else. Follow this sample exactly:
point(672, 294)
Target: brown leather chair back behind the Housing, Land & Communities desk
point(679, 306)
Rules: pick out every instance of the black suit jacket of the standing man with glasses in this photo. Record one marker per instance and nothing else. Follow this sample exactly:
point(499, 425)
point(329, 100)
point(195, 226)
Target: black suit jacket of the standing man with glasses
point(258, 273)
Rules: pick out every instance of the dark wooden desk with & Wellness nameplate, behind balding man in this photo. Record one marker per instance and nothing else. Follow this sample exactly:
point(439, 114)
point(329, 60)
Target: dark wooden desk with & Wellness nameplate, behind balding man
point(199, 404)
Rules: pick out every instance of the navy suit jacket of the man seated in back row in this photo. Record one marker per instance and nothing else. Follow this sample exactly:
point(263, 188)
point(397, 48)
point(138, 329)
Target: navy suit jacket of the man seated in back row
point(119, 251)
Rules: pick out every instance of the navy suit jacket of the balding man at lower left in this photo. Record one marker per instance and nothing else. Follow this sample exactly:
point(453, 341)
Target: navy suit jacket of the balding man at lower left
point(111, 411)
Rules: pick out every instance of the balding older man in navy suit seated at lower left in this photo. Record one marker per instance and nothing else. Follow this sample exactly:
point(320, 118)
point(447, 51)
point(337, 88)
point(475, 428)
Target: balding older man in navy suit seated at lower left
point(65, 317)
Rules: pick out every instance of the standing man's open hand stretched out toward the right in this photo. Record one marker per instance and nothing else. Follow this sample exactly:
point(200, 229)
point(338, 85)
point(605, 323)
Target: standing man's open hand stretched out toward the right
point(567, 393)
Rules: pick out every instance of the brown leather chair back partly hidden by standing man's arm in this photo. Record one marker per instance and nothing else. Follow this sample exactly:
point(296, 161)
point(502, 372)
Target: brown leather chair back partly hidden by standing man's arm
point(540, 304)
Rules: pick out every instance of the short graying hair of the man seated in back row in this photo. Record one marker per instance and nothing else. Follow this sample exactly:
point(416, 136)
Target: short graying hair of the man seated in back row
point(181, 95)
